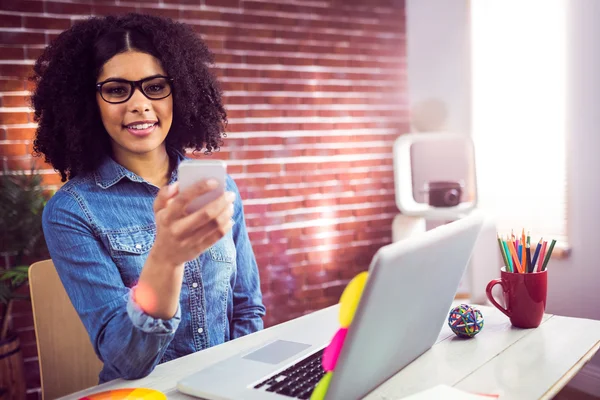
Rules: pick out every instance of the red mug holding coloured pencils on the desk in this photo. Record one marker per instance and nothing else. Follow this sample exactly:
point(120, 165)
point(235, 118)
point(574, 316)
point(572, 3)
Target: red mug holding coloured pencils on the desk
point(524, 296)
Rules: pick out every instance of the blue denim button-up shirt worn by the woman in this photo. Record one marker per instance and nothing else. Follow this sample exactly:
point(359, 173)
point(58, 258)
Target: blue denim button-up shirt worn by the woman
point(99, 228)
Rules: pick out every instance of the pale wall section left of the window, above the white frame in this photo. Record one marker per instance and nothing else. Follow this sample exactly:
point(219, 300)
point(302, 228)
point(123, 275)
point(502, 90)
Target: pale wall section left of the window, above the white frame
point(438, 65)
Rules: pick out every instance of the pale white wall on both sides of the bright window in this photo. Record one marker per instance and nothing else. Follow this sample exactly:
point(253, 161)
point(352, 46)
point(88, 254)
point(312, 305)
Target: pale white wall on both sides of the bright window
point(439, 76)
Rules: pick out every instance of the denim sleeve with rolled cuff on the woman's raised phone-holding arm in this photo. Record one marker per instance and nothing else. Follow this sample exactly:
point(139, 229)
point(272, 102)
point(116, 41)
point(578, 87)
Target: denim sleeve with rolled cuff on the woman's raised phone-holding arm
point(123, 336)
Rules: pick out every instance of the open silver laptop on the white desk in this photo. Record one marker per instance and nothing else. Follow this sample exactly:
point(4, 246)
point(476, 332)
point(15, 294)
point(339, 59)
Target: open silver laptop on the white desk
point(402, 310)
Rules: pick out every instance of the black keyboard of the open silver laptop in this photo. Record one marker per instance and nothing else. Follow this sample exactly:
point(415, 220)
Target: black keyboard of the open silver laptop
point(297, 381)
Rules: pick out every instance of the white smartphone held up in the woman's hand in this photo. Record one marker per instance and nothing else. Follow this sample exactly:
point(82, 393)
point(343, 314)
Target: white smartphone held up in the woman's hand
point(190, 172)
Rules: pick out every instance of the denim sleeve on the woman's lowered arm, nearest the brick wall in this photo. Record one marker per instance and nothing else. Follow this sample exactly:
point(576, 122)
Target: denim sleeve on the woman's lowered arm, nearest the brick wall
point(248, 308)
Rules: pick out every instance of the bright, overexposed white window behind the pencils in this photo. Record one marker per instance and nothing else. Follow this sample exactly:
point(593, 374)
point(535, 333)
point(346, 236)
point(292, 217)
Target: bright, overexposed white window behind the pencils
point(518, 117)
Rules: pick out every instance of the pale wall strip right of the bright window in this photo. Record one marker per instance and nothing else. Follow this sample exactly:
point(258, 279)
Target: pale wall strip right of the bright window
point(575, 282)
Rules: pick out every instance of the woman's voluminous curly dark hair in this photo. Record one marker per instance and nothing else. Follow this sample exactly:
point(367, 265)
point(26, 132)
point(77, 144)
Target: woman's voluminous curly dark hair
point(70, 133)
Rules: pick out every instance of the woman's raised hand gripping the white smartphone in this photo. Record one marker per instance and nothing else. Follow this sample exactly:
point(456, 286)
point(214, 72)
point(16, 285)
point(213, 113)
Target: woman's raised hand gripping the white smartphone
point(181, 237)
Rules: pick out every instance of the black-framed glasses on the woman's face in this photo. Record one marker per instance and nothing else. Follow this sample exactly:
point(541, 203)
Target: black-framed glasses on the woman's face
point(118, 90)
